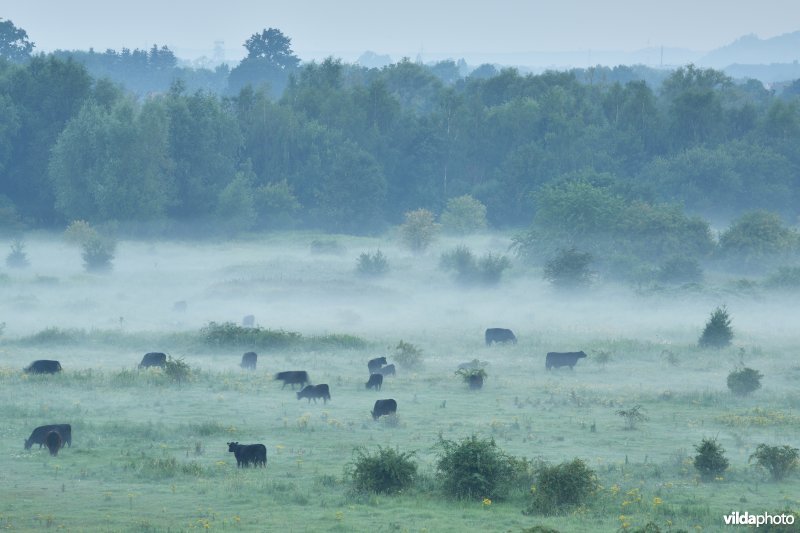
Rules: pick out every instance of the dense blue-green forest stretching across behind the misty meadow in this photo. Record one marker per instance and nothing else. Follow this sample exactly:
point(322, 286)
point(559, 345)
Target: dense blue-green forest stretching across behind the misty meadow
point(583, 157)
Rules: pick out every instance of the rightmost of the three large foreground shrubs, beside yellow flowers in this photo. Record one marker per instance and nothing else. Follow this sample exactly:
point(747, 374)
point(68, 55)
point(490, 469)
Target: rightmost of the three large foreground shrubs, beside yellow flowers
point(565, 485)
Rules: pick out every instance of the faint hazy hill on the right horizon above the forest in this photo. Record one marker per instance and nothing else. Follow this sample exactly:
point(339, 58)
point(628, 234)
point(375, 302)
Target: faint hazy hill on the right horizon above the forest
point(751, 50)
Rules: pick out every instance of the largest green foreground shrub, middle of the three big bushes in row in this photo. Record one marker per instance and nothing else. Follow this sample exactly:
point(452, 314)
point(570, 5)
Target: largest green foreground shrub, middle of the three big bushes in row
point(476, 468)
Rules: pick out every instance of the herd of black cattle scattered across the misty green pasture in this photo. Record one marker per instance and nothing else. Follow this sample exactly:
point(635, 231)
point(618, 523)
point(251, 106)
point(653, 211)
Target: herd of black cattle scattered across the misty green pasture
point(56, 436)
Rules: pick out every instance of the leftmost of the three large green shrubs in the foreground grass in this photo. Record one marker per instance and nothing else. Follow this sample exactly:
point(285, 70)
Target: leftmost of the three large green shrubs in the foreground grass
point(386, 471)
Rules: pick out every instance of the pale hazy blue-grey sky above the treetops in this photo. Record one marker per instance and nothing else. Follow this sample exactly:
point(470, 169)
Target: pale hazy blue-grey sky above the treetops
point(346, 28)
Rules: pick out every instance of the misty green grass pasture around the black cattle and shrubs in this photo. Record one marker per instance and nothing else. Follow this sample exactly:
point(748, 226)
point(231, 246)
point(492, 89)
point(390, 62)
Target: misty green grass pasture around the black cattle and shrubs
point(149, 454)
